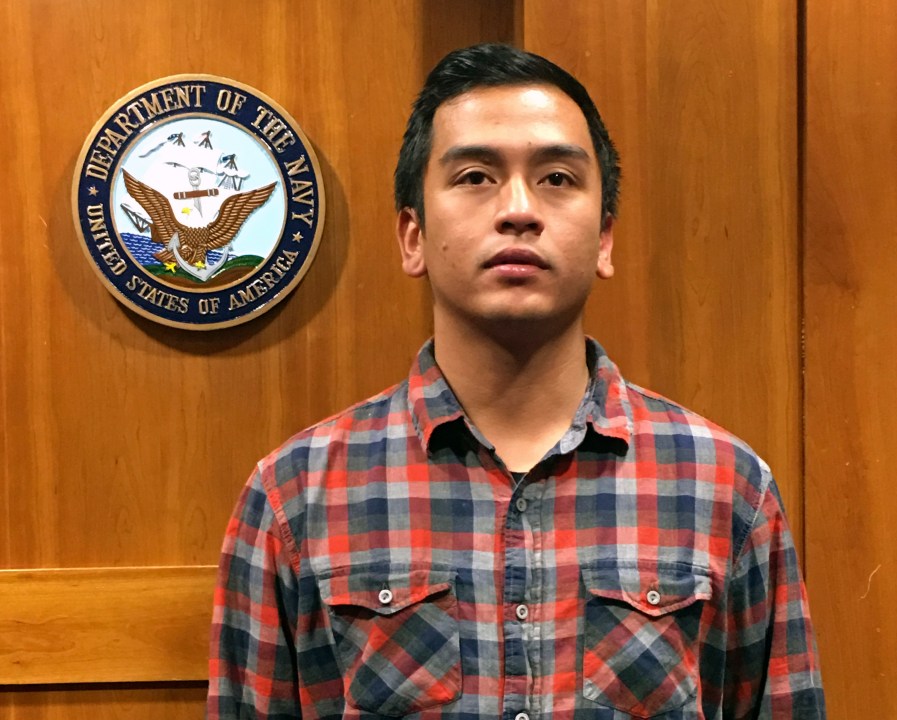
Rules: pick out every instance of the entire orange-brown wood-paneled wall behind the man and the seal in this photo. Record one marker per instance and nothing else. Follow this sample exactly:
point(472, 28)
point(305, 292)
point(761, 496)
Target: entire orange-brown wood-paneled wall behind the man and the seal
point(757, 143)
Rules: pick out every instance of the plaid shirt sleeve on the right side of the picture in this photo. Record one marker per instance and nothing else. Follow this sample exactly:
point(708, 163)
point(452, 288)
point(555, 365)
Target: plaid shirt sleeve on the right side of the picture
point(772, 665)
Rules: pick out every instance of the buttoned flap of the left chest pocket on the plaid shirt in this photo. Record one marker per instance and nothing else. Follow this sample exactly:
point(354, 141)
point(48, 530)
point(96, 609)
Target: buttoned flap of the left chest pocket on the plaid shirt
point(384, 589)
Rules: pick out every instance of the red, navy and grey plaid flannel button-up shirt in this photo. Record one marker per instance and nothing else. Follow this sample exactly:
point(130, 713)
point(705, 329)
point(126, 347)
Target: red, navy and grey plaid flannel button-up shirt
point(385, 563)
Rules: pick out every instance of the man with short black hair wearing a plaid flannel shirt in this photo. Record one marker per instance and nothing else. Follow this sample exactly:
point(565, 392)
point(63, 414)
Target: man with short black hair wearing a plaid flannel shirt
point(513, 532)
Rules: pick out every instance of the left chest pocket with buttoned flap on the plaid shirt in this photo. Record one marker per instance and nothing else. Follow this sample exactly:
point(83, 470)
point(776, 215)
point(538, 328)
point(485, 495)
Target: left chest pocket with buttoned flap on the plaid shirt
point(396, 634)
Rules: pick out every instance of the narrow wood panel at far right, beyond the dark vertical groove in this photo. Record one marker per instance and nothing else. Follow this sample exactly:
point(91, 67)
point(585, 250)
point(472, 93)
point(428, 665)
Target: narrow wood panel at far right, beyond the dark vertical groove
point(851, 342)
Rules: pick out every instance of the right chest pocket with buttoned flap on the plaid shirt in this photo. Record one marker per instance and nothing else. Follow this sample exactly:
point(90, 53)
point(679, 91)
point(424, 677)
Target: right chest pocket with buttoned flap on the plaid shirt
point(641, 624)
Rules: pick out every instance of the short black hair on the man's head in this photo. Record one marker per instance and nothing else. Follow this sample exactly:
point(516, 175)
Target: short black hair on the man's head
point(493, 65)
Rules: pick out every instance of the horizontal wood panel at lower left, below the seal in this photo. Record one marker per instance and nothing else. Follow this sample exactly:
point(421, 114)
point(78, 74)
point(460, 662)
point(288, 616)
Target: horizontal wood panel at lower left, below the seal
point(105, 624)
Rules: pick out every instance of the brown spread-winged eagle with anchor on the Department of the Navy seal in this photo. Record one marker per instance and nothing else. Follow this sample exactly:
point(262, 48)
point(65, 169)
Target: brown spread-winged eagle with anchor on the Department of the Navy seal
point(188, 246)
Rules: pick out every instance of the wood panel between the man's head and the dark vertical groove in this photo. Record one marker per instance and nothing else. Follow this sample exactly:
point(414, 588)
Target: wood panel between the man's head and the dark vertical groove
point(701, 99)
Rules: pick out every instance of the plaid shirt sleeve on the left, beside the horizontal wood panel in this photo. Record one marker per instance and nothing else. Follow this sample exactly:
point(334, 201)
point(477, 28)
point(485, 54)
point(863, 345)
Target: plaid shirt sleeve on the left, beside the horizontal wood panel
point(252, 660)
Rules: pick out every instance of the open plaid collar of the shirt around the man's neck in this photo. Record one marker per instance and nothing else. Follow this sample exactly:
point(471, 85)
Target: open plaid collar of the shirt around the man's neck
point(605, 405)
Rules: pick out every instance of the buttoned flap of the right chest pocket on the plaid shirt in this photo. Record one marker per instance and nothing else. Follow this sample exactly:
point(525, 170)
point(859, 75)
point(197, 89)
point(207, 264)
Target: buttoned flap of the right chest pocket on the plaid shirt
point(653, 588)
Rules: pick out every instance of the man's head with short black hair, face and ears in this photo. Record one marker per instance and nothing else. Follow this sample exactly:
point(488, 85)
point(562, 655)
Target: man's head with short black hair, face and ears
point(506, 153)
